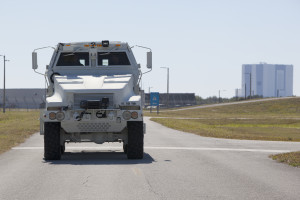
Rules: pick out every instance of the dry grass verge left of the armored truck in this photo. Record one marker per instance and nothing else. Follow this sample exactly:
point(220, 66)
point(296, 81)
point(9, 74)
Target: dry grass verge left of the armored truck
point(16, 126)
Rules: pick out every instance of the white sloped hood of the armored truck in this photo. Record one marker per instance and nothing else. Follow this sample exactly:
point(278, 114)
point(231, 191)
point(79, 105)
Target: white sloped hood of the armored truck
point(67, 88)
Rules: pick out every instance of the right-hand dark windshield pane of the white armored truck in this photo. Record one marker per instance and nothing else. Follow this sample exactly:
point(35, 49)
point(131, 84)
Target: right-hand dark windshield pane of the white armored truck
point(112, 58)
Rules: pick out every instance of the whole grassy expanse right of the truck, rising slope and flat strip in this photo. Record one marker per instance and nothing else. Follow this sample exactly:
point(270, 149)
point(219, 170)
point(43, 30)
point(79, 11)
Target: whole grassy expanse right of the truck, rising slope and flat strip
point(277, 120)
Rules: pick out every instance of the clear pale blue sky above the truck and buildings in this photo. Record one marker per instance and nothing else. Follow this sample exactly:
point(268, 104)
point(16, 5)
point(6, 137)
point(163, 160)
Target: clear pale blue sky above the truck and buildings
point(203, 42)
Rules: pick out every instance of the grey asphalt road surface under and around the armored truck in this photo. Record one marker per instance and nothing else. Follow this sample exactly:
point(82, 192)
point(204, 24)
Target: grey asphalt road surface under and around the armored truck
point(177, 165)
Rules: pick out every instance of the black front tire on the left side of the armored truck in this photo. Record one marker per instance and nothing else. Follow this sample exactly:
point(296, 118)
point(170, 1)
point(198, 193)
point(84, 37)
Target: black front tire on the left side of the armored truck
point(52, 147)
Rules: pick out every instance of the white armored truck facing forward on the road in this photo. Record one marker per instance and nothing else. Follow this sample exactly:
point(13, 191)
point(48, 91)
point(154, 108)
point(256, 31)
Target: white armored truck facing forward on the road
point(93, 95)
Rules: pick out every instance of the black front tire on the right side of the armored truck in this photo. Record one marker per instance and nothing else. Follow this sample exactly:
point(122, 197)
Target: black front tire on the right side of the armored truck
point(135, 146)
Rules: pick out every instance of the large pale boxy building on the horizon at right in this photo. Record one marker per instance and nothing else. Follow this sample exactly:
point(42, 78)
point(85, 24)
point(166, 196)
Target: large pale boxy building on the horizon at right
point(267, 80)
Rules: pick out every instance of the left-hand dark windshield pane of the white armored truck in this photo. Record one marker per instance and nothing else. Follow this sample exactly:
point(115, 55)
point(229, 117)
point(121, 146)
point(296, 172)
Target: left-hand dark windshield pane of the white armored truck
point(74, 59)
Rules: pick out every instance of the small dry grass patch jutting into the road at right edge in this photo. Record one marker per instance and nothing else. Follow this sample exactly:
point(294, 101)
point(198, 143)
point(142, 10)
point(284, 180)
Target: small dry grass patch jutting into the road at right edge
point(292, 158)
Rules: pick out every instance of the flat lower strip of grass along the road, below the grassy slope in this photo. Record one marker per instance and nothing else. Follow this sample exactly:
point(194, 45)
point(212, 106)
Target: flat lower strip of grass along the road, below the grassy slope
point(274, 130)
